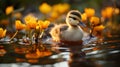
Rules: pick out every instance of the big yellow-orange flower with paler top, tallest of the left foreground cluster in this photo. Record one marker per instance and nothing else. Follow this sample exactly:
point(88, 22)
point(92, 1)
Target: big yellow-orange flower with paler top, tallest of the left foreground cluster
point(31, 22)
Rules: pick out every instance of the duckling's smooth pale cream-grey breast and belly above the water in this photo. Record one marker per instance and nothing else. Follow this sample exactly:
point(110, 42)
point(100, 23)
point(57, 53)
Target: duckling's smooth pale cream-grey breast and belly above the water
point(72, 34)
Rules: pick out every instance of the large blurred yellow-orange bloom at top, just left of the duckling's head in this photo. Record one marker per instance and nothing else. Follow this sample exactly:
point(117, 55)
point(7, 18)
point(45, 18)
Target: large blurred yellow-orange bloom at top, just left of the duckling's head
point(58, 10)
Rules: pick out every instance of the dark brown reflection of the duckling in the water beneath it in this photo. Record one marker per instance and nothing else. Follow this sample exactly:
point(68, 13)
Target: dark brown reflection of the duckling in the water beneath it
point(77, 57)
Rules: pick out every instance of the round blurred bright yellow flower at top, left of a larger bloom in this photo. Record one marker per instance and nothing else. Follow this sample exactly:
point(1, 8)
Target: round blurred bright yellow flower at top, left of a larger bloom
point(45, 8)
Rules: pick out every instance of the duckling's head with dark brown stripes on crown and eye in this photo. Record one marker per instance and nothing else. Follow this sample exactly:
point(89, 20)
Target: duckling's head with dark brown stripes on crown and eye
point(73, 18)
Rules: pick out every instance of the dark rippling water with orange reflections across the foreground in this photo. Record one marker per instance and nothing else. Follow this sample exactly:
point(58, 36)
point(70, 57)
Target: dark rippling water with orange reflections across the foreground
point(94, 54)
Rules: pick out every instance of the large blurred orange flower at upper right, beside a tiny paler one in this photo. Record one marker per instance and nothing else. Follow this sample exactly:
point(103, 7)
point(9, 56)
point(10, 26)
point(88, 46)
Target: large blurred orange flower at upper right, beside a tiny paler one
point(107, 12)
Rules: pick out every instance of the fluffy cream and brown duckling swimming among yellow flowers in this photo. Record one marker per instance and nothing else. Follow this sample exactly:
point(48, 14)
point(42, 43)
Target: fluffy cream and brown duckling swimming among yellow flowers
point(71, 32)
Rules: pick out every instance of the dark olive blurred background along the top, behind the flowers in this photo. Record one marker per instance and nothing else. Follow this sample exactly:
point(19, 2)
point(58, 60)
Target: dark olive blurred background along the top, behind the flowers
point(18, 9)
